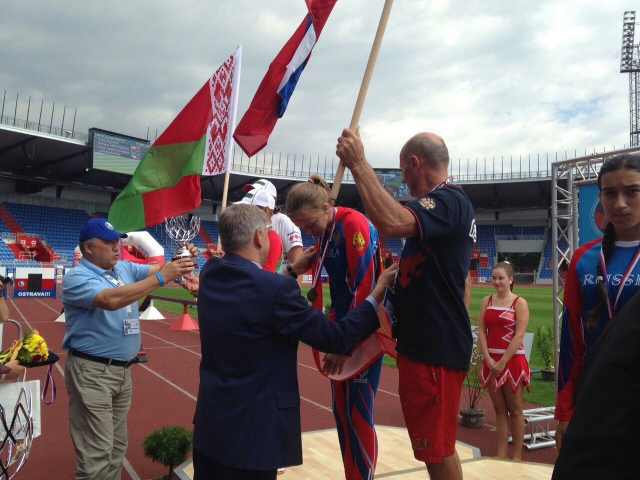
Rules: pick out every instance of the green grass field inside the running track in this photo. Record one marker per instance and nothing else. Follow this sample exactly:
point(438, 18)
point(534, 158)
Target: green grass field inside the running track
point(539, 298)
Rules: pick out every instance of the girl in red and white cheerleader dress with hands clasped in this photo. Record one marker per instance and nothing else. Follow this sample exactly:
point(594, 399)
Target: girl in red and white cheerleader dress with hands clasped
point(502, 323)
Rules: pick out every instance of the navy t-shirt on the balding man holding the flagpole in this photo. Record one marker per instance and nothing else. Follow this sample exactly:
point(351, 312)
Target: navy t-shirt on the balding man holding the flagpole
point(433, 324)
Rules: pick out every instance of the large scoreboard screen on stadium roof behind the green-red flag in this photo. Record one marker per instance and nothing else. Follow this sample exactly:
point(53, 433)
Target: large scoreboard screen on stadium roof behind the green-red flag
point(115, 152)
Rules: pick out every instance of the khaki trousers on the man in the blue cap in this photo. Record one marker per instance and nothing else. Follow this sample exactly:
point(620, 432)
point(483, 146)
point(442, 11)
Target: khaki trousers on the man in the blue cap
point(99, 400)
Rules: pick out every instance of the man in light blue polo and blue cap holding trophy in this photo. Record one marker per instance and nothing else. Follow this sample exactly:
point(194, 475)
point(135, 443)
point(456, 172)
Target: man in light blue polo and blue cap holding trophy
point(100, 298)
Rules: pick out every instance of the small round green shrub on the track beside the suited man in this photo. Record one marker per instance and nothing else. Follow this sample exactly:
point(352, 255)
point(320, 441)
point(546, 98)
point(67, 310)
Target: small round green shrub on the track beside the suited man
point(168, 446)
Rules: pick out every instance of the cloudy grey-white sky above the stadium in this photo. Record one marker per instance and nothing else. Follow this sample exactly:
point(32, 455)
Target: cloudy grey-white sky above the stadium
point(493, 79)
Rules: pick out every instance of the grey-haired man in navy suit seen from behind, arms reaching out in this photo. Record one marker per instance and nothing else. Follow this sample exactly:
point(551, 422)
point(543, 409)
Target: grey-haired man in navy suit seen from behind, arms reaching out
point(247, 421)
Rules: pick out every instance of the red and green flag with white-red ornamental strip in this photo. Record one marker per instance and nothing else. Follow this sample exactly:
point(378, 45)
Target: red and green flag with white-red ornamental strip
point(197, 142)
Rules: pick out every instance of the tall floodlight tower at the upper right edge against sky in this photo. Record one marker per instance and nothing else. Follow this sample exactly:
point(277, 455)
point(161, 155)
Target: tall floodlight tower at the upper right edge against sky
point(630, 63)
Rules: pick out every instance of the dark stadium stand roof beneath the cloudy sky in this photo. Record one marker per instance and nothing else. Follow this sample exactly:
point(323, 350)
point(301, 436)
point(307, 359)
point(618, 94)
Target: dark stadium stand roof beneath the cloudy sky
point(38, 159)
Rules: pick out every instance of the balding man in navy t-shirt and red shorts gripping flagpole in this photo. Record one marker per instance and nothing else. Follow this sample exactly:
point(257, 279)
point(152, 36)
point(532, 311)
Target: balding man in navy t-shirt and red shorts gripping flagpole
point(433, 330)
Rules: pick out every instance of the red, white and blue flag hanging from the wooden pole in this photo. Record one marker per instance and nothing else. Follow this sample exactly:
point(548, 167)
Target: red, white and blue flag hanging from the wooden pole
point(271, 99)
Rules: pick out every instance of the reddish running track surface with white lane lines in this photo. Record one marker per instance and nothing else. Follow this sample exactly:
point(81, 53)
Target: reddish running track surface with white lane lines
point(165, 390)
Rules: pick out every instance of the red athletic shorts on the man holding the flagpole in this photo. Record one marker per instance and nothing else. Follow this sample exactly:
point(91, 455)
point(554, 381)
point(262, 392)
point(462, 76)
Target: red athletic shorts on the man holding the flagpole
point(430, 399)
